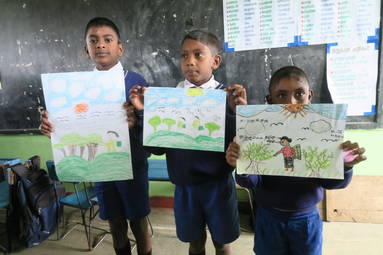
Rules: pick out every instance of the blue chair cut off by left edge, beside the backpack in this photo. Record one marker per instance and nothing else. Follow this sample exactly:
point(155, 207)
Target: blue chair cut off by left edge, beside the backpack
point(5, 163)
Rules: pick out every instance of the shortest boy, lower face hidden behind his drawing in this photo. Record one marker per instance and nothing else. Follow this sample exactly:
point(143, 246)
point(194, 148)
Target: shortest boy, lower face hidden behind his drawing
point(287, 220)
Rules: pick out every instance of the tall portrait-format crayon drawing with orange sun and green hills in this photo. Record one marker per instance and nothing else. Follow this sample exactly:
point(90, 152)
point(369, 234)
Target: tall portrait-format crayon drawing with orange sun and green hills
point(91, 137)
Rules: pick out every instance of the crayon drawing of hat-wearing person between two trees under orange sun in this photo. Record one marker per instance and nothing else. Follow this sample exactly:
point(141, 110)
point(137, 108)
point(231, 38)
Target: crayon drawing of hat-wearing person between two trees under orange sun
point(291, 140)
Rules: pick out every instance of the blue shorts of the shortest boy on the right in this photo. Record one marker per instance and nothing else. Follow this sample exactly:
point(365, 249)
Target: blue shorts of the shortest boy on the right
point(277, 234)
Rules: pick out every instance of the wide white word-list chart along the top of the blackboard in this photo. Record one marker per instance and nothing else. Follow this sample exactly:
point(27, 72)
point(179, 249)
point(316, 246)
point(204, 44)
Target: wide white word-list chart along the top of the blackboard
point(258, 24)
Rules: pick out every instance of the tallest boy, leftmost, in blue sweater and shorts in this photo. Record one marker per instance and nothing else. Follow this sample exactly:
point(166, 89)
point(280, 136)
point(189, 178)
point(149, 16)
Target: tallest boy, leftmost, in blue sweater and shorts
point(119, 200)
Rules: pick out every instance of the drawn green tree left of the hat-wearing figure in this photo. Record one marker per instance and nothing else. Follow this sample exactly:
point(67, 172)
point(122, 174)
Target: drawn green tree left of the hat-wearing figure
point(256, 153)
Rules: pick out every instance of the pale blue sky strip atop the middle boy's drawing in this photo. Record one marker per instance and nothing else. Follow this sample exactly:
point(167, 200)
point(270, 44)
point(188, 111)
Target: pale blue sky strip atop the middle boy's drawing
point(175, 97)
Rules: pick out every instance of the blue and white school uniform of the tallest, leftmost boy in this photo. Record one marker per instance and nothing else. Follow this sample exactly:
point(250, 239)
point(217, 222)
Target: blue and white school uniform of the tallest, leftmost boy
point(128, 198)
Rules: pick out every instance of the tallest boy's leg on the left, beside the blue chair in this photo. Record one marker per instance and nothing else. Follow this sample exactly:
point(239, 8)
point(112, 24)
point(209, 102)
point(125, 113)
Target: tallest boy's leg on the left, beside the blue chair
point(119, 231)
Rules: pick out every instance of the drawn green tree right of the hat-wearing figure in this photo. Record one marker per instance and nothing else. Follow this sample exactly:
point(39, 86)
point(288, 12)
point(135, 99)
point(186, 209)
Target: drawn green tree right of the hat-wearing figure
point(316, 160)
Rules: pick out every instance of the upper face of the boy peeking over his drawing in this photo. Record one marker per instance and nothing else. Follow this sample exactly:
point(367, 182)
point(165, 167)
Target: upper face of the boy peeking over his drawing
point(290, 91)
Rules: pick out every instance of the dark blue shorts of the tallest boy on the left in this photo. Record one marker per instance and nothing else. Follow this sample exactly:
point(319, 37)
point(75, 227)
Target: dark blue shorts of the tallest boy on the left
point(127, 199)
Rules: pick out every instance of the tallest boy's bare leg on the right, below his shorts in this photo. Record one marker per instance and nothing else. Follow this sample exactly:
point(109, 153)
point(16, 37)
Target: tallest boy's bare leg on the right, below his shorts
point(141, 234)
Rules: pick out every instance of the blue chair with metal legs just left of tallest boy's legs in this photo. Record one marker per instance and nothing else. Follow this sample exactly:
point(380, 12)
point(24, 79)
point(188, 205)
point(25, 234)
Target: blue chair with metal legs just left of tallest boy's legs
point(84, 199)
